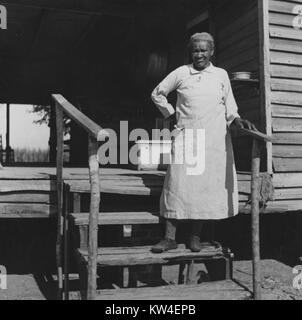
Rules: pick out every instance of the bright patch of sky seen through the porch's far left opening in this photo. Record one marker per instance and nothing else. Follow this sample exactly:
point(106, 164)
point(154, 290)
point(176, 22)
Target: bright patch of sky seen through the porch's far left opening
point(24, 132)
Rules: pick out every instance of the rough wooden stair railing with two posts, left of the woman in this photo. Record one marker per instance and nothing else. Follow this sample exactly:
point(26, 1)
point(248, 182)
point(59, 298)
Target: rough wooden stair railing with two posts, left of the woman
point(96, 133)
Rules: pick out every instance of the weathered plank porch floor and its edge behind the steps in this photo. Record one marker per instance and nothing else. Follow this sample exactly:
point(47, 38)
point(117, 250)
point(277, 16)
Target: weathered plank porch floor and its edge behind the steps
point(30, 192)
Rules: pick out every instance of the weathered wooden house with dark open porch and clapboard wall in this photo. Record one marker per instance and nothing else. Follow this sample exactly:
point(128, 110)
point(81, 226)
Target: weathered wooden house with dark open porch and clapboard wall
point(105, 57)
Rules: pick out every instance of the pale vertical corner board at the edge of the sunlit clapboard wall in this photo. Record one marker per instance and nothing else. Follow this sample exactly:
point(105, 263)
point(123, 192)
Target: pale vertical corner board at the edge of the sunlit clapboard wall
point(265, 77)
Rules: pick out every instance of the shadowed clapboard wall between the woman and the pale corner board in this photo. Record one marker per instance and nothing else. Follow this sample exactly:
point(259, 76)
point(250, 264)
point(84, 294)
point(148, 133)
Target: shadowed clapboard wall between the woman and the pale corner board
point(237, 35)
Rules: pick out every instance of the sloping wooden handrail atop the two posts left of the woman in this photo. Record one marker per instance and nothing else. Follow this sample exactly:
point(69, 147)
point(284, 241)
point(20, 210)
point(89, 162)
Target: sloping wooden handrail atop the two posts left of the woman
point(80, 118)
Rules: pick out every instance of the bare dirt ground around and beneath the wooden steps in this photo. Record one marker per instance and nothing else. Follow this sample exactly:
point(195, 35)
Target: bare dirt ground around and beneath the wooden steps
point(277, 282)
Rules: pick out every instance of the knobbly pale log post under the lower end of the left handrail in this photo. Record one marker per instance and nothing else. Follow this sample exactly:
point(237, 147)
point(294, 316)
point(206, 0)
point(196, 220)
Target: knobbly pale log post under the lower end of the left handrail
point(93, 217)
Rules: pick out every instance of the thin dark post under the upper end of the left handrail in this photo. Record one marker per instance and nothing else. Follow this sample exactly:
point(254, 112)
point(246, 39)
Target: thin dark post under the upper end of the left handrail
point(59, 174)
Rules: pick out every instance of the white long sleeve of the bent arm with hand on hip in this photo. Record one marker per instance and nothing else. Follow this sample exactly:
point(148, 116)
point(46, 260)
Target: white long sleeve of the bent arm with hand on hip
point(161, 92)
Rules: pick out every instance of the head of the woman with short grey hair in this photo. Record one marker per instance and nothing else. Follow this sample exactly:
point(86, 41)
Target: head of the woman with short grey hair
point(201, 49)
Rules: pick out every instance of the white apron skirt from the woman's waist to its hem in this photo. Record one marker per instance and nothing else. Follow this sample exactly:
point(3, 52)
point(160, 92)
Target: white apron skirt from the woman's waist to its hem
point(211, 195)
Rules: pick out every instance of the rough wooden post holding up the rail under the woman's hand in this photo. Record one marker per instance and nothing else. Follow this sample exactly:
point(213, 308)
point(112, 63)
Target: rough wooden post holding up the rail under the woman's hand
point(255, 219)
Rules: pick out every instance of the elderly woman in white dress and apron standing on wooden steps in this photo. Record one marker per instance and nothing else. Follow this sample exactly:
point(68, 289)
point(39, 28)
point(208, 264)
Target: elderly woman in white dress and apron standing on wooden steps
point(205, 101)
